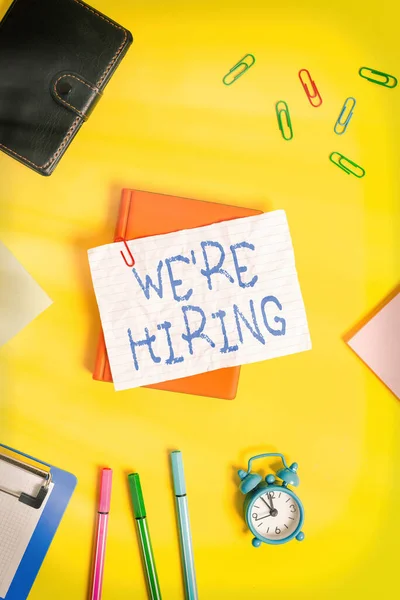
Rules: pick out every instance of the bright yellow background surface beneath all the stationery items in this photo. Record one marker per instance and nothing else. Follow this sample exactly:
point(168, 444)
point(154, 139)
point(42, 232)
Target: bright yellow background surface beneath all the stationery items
point(166, 123)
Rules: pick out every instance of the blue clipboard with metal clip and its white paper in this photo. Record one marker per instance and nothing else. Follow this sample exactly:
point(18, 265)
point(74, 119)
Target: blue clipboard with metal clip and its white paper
point(33, 498)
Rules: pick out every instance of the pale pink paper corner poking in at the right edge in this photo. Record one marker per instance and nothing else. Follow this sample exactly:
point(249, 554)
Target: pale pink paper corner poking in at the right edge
point(378, 344)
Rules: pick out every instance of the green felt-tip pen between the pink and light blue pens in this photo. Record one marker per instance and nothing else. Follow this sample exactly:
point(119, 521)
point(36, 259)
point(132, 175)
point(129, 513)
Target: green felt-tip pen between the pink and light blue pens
point(139, 510)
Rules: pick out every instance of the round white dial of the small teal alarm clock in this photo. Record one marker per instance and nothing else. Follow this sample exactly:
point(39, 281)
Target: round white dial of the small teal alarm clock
point(275, 514)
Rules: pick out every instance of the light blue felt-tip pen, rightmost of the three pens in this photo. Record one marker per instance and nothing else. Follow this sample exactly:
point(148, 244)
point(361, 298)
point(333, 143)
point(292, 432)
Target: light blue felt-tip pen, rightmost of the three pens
point(185, 536)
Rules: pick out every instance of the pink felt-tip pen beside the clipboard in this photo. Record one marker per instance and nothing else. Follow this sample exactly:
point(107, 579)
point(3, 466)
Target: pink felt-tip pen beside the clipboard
point(101, 537)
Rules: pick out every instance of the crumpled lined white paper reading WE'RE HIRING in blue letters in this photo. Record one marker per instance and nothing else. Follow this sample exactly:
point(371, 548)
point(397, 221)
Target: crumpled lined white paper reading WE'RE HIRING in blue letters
point(222, 295)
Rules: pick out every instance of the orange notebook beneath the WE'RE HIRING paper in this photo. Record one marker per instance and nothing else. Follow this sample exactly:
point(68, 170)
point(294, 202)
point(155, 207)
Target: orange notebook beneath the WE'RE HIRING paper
point(143, 214)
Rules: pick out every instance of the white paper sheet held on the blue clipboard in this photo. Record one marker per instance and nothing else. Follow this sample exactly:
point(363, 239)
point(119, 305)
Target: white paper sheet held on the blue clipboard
point(17, 520)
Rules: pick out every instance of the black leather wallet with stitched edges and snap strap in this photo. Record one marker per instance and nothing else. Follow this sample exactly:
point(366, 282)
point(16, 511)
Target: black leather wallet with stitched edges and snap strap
point(56, 57)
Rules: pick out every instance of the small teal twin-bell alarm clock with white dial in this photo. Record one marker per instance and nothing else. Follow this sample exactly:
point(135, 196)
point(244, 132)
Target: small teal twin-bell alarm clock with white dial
point(273, 512)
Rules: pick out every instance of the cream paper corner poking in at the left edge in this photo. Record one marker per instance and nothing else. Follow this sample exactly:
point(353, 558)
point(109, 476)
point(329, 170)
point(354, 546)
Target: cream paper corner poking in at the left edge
point(21, 298)
